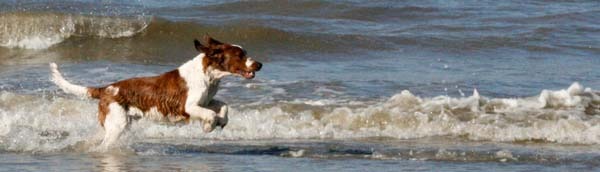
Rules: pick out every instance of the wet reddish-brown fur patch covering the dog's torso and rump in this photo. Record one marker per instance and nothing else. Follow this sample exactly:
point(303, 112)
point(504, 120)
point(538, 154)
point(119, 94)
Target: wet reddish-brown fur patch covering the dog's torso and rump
point(166, 92)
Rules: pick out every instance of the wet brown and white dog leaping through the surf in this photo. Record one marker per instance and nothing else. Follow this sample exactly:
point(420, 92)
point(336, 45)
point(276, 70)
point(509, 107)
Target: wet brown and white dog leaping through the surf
point(183, 94)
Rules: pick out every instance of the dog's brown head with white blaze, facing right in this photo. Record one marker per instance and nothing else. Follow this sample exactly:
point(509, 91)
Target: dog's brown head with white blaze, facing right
point(228, 58)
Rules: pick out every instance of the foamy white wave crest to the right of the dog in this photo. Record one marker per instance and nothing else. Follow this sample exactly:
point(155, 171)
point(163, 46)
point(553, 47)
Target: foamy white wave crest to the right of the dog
point(566, 116)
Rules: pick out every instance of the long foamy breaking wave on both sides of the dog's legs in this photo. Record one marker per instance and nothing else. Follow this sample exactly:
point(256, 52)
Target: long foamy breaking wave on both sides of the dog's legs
point(568, 116)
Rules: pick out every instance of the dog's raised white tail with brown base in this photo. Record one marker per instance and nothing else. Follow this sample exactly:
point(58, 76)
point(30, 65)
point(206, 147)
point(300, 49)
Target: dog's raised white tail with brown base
point(68, 87)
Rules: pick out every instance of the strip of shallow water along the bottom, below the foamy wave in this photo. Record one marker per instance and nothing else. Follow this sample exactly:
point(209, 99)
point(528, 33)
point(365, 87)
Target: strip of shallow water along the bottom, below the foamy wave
point(269, 155)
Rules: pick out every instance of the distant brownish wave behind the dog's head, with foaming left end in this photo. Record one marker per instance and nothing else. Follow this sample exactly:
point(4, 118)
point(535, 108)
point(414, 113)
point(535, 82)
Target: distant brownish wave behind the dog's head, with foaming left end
point(35, 35)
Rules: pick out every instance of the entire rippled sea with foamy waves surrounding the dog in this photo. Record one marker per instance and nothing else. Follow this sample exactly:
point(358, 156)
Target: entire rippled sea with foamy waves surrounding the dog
point(348, 85)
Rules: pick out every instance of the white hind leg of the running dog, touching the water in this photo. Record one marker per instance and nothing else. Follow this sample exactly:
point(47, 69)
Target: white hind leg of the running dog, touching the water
point(114, 124)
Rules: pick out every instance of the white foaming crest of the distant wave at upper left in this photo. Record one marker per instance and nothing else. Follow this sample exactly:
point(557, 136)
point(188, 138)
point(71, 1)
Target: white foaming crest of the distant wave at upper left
point(43, 29)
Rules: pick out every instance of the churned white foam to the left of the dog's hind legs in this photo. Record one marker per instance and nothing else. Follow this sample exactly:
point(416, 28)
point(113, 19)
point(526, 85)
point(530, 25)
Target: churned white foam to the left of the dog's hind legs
point(32, 123)
